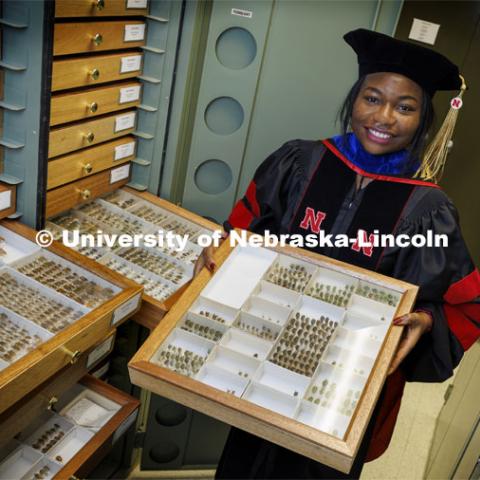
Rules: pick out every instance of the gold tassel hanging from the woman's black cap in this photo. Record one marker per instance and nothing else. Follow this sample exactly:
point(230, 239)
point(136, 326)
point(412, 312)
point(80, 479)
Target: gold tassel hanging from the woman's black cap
point(431, 168)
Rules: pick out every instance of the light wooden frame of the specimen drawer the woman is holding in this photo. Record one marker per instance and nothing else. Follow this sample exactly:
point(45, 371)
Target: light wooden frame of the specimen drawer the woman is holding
point(289, 433)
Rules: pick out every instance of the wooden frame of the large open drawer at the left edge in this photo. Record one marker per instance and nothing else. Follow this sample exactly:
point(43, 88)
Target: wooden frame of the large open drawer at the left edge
point(27, 373)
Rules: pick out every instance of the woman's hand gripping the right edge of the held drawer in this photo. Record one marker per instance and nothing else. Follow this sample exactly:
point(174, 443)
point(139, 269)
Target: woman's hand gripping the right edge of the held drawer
point(416, 323)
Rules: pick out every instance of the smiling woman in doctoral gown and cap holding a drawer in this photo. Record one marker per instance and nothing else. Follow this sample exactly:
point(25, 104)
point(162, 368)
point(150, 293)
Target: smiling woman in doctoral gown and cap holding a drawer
point(363, 181)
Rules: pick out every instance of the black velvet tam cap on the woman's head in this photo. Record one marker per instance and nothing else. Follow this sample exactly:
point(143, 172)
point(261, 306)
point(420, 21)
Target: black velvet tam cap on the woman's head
point(380, 53)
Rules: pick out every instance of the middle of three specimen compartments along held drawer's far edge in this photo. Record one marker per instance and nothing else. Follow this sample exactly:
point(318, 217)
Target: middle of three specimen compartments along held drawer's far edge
point(328, 283)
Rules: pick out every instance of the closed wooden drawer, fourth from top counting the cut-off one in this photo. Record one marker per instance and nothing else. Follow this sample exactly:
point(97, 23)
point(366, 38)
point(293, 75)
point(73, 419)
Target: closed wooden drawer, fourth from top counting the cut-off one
point(68, 107)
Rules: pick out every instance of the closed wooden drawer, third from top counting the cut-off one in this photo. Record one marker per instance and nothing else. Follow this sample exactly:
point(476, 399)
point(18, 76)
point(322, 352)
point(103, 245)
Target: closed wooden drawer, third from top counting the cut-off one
point(95, 69)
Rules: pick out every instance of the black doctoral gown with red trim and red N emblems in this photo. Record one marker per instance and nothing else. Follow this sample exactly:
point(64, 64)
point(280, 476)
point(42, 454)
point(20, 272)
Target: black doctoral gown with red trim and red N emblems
point(306, 186)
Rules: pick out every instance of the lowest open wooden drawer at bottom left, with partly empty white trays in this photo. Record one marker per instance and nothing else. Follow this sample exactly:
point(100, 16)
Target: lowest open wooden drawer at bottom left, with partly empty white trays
point(88, 419)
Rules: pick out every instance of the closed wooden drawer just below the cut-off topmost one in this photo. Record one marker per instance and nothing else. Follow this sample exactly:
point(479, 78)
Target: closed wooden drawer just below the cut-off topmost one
point(97, 36)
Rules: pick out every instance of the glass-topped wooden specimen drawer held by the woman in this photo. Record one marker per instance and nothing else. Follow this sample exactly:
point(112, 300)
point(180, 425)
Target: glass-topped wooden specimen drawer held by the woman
point(289, 345)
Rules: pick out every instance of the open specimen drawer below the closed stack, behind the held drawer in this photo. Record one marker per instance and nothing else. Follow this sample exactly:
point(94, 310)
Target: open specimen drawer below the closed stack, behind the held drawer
point(129, 211)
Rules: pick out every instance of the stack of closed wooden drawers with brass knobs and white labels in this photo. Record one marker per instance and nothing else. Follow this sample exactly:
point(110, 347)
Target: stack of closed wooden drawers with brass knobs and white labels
point(95, 93)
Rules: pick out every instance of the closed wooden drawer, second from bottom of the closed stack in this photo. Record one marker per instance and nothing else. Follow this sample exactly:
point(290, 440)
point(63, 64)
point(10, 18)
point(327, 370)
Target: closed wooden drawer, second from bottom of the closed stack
point(90, 161)
